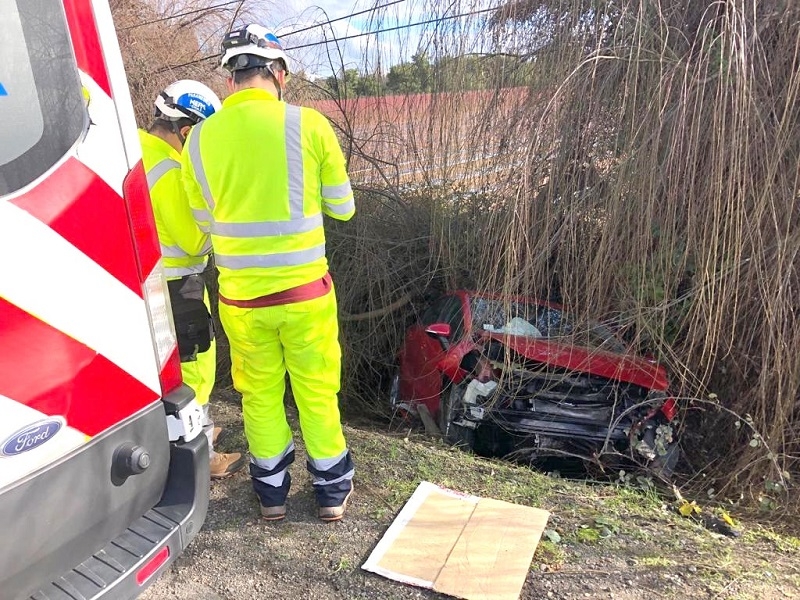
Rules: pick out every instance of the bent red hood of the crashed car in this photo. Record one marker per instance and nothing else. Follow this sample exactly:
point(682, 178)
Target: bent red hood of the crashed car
point(629, 369)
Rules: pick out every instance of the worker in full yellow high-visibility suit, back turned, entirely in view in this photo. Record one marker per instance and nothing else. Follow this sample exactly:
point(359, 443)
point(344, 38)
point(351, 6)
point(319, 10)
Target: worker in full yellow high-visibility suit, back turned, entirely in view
point(260, 175)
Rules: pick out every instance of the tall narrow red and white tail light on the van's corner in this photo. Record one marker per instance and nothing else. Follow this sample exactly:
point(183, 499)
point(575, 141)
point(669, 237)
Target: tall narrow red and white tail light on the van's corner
point(151, 274)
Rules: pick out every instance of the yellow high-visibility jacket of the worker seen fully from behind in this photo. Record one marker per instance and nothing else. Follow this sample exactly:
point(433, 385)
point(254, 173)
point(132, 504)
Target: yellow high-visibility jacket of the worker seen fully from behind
point(260, 174)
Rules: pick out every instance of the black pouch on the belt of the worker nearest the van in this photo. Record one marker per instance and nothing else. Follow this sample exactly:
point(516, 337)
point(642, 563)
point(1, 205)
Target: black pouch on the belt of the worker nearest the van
point(193, 324)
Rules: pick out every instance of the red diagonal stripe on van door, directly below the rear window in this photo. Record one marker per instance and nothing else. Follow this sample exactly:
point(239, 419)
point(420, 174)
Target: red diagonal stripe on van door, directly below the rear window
point(90, 215)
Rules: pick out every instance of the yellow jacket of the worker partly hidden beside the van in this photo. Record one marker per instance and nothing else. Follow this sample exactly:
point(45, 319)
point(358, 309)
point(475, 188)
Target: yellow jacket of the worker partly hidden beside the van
point(183, 245)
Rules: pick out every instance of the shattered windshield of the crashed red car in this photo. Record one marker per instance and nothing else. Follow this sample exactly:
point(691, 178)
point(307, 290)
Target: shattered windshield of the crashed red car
point(528, 319)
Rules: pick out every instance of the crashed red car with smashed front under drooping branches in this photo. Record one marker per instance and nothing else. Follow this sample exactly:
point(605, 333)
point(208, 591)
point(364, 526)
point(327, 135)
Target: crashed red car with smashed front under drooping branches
point(503, 375)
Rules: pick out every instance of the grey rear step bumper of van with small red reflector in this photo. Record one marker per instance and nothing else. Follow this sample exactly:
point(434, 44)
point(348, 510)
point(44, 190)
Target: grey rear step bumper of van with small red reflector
point(124, 567)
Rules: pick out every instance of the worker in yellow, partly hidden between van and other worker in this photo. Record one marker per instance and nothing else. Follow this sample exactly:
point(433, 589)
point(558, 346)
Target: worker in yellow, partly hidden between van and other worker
point(184, 246)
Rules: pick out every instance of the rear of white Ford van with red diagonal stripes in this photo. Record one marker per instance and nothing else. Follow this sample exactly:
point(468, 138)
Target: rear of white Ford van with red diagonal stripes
point(87, 349)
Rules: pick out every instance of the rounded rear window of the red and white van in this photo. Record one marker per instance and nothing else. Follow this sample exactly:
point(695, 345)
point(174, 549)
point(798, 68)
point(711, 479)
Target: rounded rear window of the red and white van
point(42, 111)
